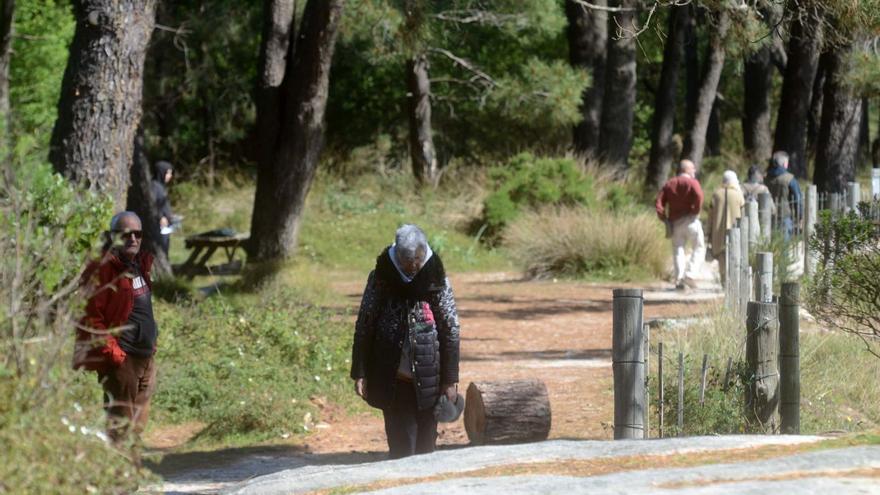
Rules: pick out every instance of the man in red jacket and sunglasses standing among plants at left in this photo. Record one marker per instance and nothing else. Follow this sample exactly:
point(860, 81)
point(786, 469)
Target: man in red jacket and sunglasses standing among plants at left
point(117, 336)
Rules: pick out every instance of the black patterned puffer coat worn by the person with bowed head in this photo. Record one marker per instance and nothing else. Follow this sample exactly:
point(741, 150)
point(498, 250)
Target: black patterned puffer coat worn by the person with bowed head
point(391, 311)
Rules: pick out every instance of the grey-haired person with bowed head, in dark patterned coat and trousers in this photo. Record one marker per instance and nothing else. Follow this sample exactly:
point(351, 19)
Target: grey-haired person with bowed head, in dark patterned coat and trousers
point(406, 342)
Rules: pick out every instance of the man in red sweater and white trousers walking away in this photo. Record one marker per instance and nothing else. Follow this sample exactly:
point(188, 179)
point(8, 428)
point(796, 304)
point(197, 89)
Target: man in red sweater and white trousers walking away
point(678, 206)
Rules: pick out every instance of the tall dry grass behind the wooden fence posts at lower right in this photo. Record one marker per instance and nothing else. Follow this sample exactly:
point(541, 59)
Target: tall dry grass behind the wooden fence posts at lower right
point(838, 377)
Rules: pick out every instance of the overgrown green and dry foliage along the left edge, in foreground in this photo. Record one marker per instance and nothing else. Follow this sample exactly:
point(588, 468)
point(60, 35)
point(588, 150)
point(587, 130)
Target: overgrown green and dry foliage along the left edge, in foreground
point(51, 419)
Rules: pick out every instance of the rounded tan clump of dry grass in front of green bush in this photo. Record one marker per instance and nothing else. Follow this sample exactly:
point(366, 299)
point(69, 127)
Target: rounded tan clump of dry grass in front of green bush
point(577, 241)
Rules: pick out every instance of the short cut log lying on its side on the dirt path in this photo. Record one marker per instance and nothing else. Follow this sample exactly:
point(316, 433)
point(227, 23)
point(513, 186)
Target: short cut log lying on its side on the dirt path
point(515, 411)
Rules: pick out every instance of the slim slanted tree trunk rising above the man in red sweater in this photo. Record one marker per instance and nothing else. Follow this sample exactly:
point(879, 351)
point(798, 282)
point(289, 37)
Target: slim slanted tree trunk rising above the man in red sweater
point(695, 143)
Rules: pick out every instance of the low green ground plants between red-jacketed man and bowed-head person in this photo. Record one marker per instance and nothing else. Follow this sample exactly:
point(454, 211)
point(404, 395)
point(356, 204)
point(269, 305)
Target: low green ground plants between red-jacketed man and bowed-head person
point(247, 364)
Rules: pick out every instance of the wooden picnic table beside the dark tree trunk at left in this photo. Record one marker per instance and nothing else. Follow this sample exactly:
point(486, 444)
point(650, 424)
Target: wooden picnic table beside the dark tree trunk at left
point(204, 245)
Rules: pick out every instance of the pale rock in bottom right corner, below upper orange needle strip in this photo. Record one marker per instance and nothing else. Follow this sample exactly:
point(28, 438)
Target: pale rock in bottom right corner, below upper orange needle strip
point(853, 470)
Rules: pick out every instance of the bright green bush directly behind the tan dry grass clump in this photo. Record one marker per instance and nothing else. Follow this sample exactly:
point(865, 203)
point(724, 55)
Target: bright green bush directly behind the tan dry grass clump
point(526, 181)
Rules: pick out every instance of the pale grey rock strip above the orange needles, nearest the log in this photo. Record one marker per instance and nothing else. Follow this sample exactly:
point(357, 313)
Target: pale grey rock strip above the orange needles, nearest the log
point(304, 478)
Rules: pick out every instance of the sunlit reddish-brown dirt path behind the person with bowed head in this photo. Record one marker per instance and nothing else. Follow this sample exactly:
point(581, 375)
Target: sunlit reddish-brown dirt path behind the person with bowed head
point(558, 332)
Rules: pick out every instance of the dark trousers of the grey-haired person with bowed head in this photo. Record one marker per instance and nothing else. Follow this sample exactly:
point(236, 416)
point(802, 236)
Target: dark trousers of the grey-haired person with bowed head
point(409, 430)
